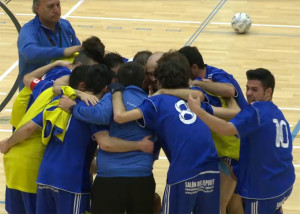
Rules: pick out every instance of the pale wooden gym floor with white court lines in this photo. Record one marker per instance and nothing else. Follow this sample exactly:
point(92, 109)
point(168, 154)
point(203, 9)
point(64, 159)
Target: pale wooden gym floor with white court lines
point(130, 26)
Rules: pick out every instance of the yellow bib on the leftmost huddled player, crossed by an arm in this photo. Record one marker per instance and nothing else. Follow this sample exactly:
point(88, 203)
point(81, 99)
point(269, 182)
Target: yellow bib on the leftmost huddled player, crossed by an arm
point(22, 162)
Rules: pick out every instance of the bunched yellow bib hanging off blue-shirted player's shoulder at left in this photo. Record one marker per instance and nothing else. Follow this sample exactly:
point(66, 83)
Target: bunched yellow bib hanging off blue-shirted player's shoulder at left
point(55, 120)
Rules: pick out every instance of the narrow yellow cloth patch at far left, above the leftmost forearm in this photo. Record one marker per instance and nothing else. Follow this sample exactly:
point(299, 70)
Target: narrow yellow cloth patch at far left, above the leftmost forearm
point(19, 106)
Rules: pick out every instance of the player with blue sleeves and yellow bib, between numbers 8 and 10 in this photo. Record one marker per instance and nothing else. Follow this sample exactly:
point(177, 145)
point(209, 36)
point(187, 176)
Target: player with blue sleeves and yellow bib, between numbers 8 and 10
point(217, 85)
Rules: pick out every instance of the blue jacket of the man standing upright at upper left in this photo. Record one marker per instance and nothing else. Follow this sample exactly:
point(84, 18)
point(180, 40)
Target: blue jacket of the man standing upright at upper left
point(35, 48)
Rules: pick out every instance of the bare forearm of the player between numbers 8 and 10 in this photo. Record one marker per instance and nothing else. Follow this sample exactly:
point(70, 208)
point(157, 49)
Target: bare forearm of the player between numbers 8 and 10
point(217, 88)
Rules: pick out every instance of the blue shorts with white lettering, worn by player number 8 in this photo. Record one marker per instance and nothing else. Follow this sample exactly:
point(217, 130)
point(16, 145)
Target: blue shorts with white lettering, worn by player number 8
point(200, 194)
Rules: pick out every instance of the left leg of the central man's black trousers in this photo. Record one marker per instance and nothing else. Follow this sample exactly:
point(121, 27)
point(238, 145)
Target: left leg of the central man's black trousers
point(108, 195)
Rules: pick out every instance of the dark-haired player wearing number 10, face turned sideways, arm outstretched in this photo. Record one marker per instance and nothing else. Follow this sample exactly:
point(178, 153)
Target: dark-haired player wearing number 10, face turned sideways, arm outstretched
point(265, 172)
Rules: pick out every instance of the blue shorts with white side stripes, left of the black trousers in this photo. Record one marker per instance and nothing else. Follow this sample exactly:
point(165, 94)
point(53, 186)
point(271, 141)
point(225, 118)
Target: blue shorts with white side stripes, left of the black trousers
point(53, 200)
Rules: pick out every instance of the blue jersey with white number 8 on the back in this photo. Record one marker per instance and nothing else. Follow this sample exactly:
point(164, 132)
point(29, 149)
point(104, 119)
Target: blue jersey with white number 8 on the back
point(186, 140)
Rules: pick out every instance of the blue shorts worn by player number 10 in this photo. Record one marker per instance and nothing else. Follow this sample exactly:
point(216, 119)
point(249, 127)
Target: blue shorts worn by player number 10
point(267, 206)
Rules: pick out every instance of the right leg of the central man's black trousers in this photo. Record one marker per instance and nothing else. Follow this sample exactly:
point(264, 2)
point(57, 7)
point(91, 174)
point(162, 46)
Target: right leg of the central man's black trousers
point(141, 195)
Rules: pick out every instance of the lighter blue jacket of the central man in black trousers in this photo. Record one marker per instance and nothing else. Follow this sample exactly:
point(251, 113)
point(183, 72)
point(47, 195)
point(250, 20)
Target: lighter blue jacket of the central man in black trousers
point(119, 164)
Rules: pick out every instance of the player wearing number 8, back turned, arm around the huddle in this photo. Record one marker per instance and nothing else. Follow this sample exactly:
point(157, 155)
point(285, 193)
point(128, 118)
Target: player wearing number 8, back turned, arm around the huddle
point(193, 175)
